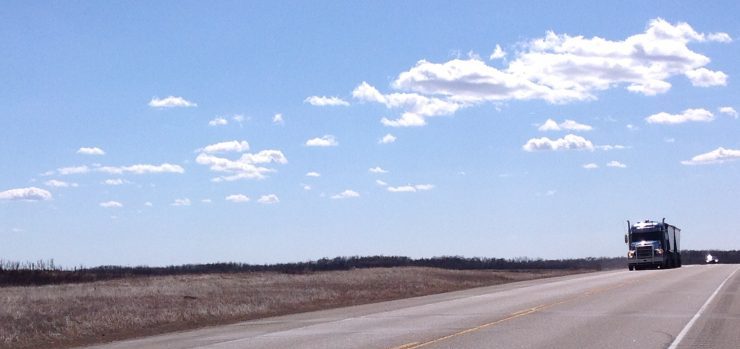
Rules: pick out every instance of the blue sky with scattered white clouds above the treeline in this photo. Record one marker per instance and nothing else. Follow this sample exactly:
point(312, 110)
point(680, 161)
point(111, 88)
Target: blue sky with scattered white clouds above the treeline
point(185, 132)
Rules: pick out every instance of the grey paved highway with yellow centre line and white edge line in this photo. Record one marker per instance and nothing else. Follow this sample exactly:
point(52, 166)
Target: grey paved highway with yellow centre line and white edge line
point(690, 307)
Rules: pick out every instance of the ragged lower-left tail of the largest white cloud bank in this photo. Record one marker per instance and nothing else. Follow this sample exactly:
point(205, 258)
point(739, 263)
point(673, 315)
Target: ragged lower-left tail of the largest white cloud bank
point(415, 106)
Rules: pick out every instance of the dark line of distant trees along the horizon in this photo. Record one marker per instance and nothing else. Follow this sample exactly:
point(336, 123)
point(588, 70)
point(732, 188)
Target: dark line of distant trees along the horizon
point(46, 272)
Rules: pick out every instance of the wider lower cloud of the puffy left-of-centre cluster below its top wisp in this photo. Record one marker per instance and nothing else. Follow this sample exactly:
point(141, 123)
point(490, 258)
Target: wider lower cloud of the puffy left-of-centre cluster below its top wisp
point(246, 167)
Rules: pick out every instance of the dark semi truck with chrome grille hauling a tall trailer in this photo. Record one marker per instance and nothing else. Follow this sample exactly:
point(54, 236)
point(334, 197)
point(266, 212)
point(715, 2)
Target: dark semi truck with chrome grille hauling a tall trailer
point(653, 245)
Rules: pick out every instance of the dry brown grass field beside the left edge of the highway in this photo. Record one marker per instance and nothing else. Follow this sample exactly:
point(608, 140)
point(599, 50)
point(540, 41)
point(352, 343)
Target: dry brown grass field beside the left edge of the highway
point(76, 314)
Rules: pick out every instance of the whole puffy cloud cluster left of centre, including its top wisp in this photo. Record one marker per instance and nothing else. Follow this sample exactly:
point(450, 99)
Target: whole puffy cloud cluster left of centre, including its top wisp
point(247, 166)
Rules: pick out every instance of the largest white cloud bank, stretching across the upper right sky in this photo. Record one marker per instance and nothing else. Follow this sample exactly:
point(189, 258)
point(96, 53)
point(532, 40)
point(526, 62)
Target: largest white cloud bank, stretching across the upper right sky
point(557, 68)
